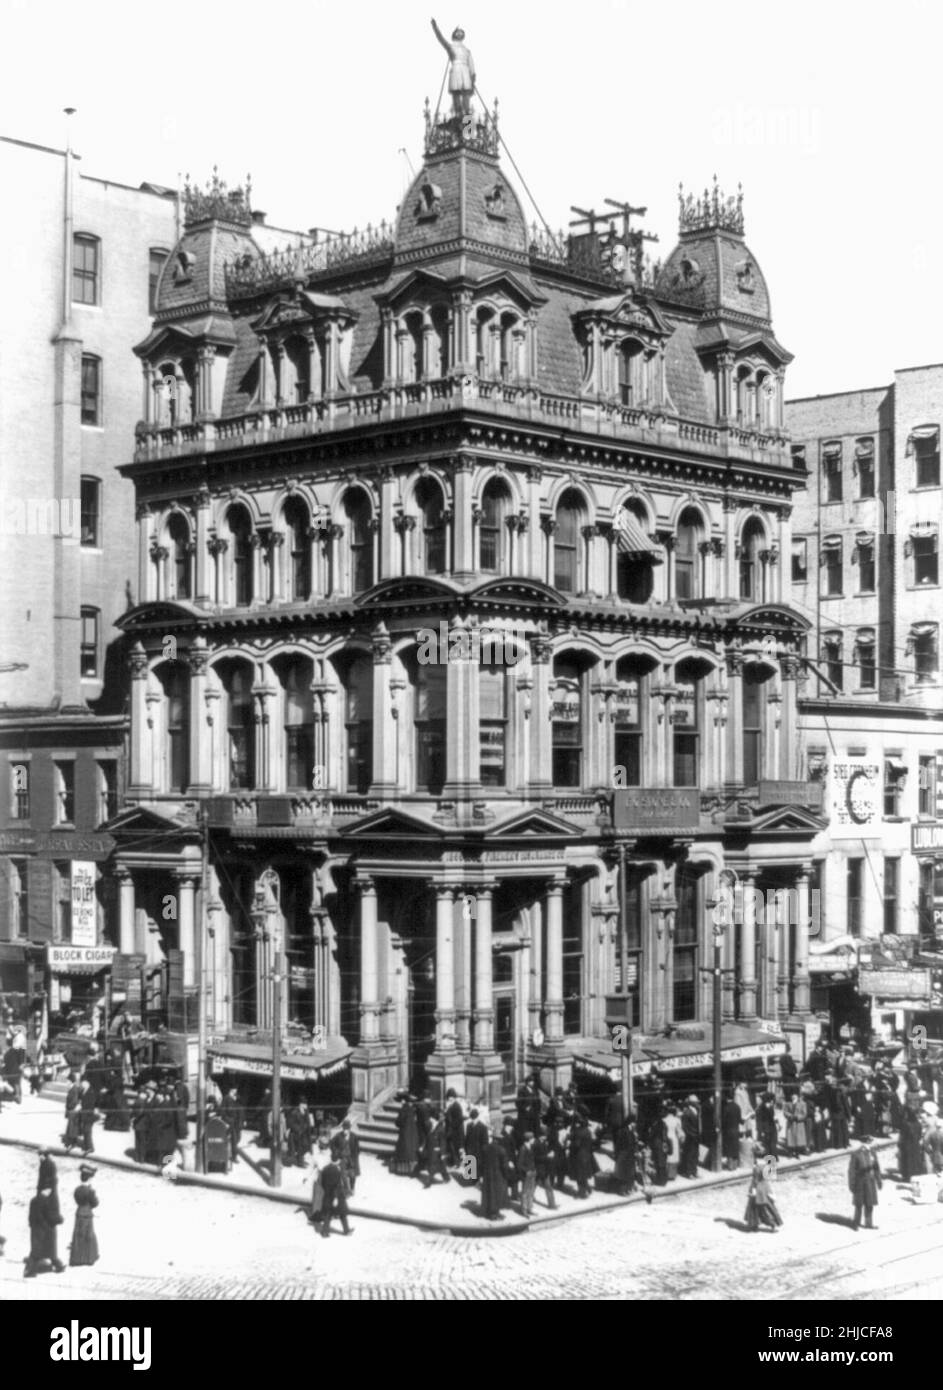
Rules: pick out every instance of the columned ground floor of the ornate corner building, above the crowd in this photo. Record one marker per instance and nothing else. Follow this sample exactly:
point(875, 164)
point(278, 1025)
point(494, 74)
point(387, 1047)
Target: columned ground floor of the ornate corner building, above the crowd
point(419, 958)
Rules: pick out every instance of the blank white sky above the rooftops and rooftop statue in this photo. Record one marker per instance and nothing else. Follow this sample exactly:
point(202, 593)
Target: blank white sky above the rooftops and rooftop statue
point(827, 112)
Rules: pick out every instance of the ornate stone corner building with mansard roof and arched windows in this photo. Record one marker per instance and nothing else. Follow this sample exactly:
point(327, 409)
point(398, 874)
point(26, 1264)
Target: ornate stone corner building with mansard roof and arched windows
point(461, 568)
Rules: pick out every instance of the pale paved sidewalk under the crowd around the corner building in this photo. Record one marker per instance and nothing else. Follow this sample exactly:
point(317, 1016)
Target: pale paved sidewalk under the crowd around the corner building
point(382, 1196)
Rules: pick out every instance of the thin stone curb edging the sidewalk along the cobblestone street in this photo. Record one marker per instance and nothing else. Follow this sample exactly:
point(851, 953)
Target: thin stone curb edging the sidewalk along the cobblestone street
point(511, 1225)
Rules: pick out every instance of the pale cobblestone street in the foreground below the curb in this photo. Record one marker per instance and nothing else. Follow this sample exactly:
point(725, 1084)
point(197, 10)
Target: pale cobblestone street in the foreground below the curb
point(692, 1248)
